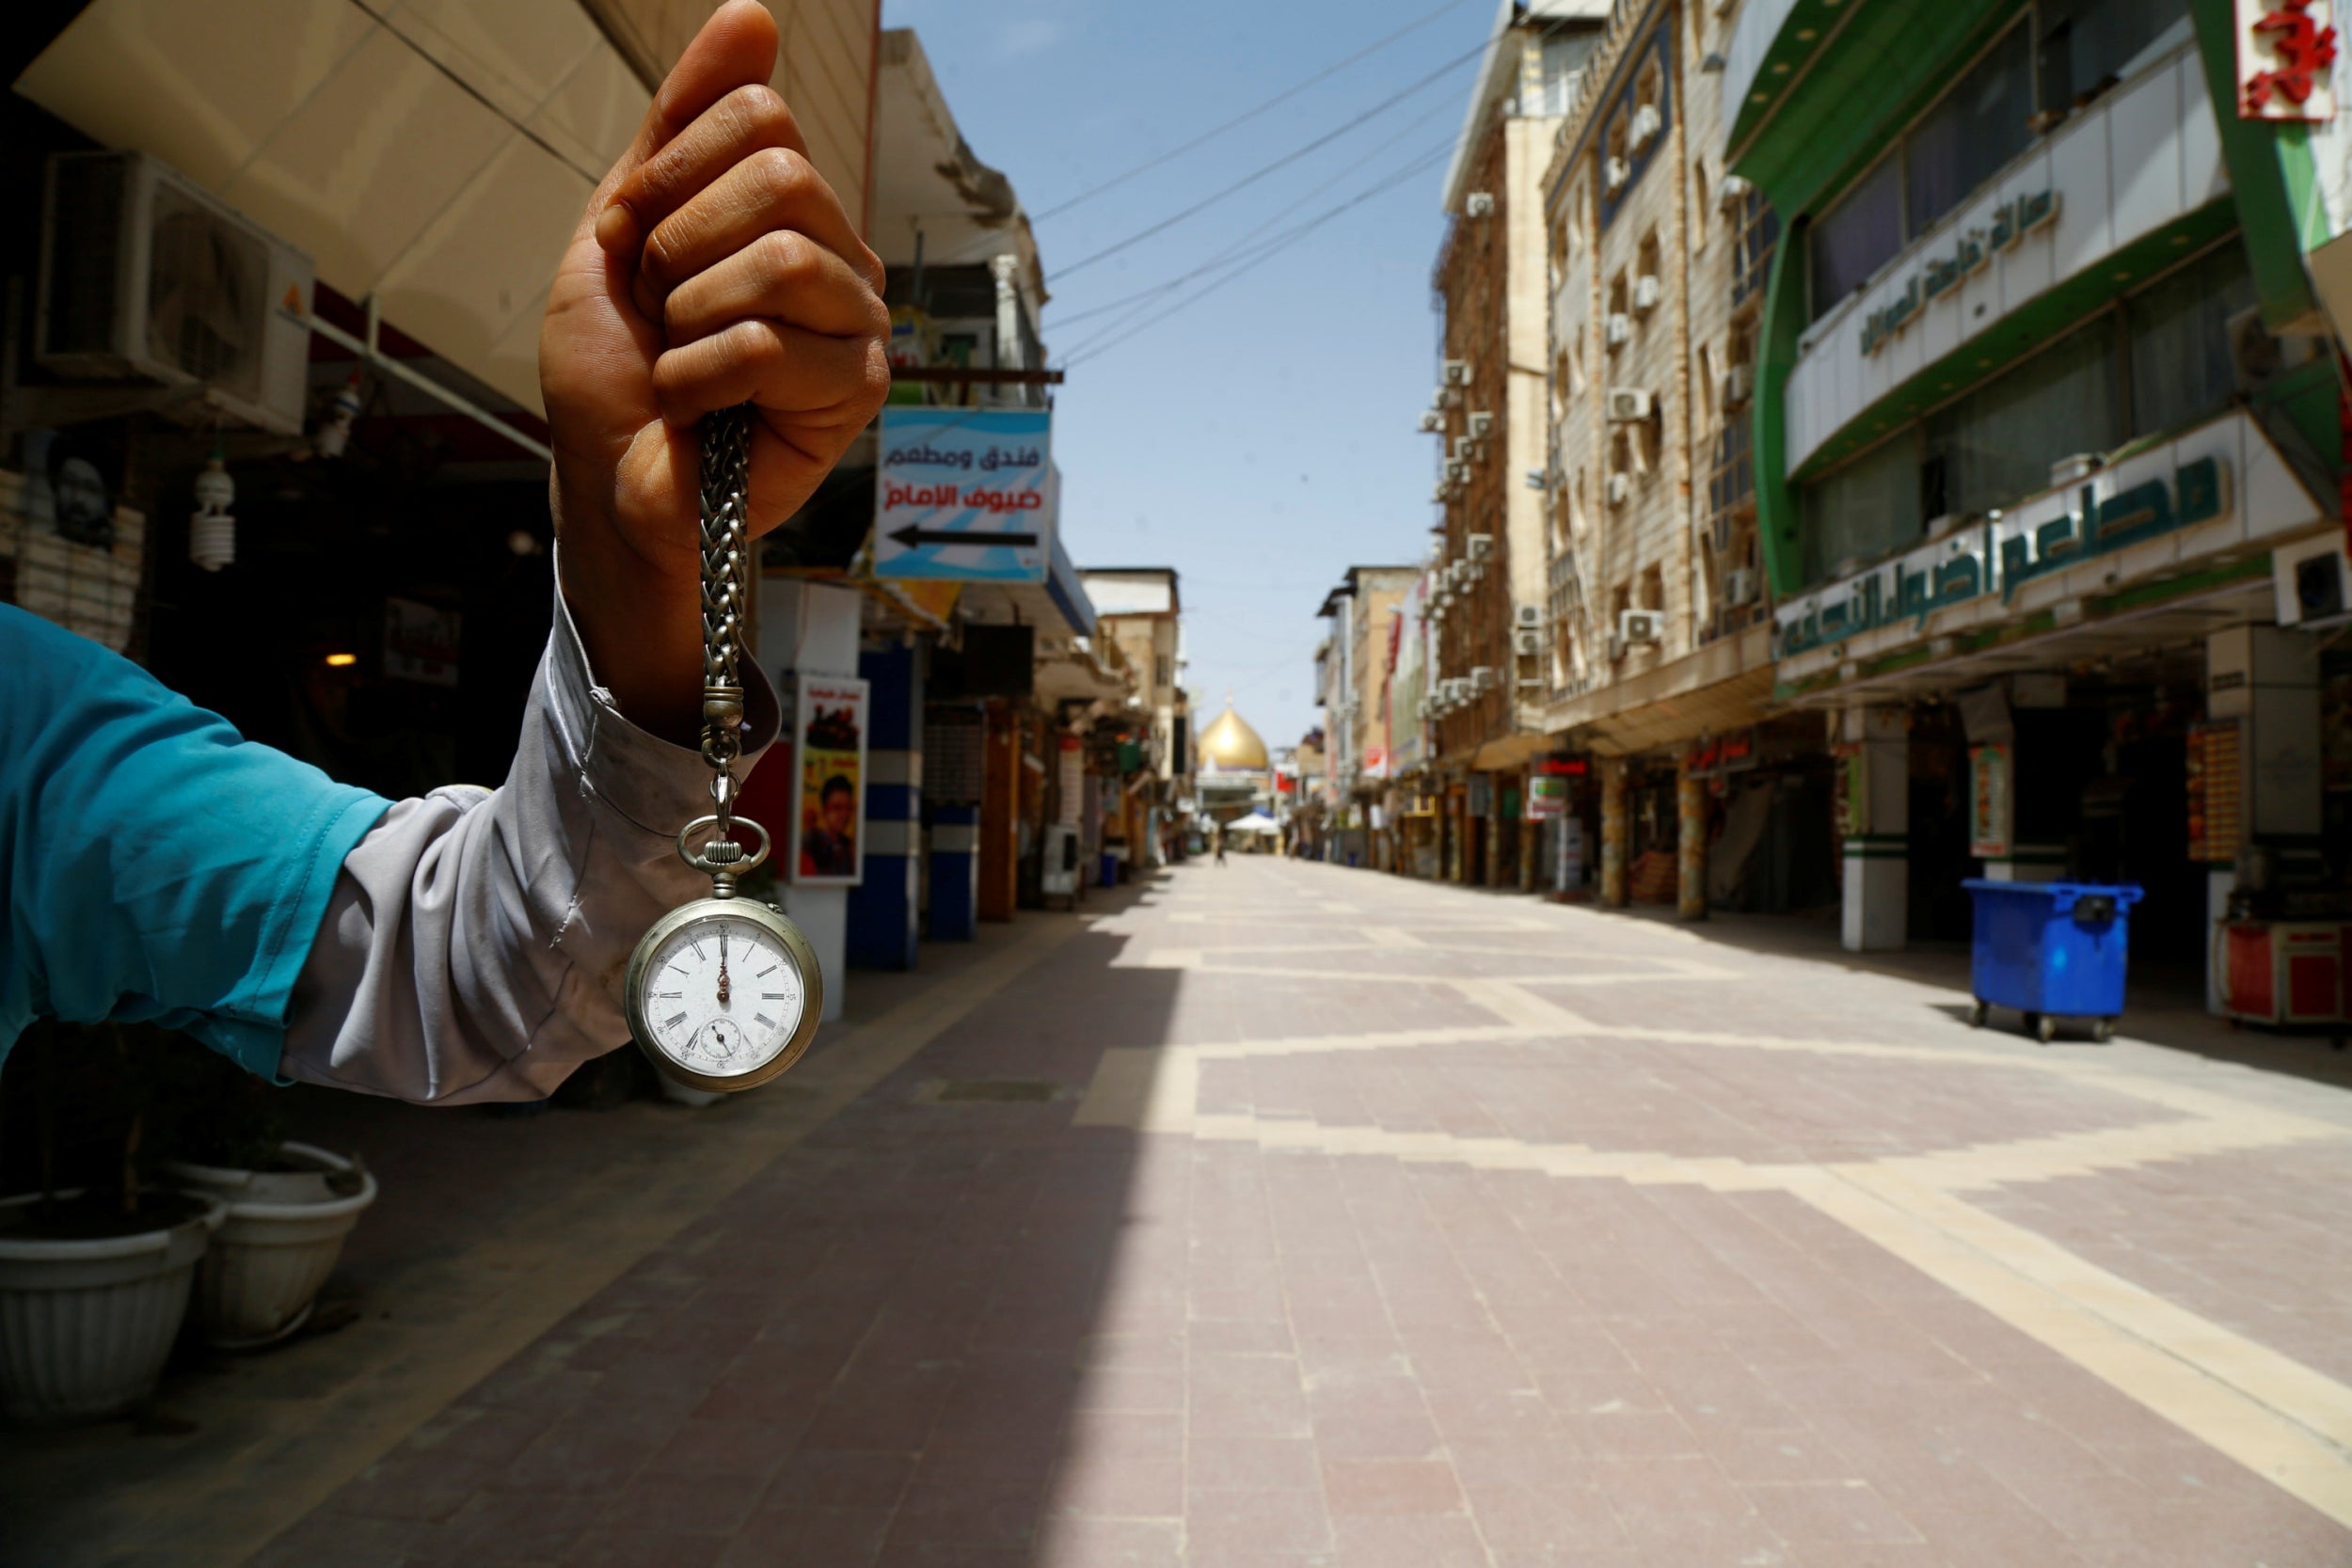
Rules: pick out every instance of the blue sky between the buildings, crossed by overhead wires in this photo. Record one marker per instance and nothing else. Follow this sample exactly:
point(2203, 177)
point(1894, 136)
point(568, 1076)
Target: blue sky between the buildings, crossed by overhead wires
point(1264, 438)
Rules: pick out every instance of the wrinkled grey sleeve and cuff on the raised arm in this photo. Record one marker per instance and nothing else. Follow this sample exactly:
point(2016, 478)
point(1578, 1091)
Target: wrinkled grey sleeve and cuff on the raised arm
point(476, 939)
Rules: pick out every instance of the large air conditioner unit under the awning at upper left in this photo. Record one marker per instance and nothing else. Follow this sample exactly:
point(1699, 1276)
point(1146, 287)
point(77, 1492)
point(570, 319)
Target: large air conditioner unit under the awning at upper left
point(147, 276)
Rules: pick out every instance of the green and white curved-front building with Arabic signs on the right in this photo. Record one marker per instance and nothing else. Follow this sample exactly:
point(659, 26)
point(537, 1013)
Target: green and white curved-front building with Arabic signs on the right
point(2047, 448)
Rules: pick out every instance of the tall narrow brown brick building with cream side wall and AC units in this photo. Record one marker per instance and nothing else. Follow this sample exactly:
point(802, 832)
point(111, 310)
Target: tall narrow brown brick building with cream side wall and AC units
point(1490, 413)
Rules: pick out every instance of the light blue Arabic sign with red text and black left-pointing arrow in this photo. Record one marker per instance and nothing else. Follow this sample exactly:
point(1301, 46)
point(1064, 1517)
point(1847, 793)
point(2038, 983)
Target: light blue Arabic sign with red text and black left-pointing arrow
point(965, 495)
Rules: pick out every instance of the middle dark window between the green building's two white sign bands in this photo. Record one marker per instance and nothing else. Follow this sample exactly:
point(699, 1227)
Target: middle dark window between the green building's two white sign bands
point(2000, 441)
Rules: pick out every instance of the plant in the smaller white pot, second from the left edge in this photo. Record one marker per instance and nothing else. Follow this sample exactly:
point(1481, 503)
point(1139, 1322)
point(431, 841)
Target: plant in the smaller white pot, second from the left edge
point(288, 1205)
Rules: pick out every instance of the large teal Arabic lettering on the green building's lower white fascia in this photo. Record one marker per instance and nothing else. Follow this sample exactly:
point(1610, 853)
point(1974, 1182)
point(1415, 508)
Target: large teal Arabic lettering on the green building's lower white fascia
point(2005, 554)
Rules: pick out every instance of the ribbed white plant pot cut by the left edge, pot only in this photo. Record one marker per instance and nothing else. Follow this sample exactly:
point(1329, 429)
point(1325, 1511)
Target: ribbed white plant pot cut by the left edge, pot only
point(86, 1325)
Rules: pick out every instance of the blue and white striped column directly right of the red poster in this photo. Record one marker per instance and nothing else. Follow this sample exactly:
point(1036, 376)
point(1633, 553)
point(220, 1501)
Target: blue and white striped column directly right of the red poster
point(886, 906)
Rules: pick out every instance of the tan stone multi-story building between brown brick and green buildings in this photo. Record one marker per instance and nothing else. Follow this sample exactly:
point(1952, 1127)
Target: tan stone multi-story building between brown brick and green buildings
point(1657, 645)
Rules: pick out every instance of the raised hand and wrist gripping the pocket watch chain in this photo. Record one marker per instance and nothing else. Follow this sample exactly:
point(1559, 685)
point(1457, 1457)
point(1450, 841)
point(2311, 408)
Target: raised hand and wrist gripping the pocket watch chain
point(714, 267)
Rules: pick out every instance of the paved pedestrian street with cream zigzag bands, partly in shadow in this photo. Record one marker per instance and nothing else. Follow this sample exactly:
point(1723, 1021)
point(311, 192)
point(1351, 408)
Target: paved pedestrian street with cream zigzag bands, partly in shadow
point(1281, 1214)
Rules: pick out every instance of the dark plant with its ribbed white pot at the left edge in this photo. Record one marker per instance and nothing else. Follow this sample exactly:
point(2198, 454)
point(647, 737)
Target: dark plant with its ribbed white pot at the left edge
point(95, 1261)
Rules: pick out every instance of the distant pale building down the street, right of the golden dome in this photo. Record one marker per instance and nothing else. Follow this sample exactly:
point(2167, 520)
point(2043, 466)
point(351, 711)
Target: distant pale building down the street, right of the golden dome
point(1354, 681)
